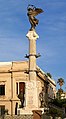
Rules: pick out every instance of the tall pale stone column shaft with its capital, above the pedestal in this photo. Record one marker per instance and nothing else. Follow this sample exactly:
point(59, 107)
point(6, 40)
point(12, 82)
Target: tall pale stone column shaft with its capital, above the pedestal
point(32, 36)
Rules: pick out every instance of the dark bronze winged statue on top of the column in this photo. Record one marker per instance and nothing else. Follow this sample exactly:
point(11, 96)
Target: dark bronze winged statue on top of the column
point(32, 12)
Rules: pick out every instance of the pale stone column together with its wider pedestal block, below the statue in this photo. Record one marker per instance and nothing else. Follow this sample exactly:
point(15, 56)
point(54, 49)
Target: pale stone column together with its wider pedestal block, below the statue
point(32, 94)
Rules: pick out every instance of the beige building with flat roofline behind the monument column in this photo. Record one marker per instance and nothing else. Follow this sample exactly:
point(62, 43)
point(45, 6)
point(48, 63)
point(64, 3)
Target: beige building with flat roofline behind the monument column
point(14, 77)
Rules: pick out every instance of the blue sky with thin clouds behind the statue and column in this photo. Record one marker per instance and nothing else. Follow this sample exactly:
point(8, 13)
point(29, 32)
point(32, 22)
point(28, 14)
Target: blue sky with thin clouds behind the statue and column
point(51, 29)
